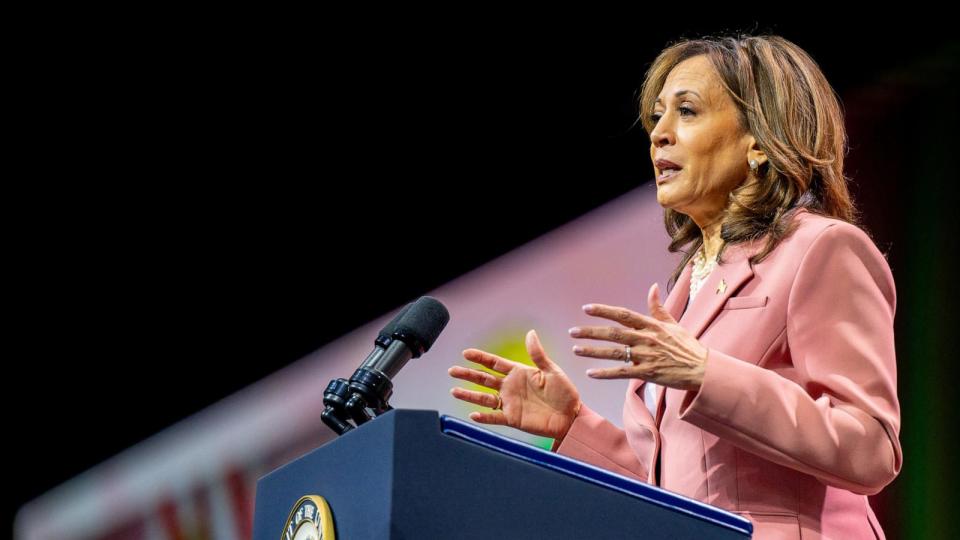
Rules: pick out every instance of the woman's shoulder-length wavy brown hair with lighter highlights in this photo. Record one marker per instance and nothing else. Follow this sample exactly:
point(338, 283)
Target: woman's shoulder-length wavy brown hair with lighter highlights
point(786, 103)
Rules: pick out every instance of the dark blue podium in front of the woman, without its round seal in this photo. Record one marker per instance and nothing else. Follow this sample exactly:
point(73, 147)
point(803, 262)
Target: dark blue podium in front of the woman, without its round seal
point(412, 474)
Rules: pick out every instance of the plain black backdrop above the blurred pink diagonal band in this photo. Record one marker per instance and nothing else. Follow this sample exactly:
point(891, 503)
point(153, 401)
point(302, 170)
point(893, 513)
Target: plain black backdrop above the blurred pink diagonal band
point(201, 200)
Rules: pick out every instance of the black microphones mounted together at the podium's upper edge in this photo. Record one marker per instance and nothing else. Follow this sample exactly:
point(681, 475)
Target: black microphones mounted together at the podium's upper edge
point(410, 334)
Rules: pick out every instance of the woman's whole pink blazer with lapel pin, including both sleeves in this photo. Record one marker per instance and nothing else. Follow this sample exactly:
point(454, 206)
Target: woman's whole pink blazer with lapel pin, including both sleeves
point(797, 420)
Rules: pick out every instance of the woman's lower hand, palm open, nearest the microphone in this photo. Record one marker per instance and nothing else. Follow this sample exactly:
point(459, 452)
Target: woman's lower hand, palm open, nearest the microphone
point(540, 400)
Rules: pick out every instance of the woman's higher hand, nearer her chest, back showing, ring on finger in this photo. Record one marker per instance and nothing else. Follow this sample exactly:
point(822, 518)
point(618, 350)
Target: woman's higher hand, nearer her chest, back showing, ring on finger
point(661, 351)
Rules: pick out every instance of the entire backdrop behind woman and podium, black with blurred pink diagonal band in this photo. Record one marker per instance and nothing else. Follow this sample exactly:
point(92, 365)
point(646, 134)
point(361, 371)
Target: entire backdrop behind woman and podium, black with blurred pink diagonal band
point(200, 200)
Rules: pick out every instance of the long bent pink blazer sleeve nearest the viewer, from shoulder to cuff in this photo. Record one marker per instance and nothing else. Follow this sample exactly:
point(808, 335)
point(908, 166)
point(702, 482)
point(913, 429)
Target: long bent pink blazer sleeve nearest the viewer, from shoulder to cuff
point(839, 420)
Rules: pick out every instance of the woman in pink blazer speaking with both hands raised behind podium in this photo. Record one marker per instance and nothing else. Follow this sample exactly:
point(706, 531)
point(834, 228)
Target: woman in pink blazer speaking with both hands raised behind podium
point(765, 382)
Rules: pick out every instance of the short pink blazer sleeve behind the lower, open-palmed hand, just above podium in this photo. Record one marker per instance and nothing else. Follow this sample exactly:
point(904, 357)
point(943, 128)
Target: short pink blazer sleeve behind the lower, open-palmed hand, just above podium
point(593, 439)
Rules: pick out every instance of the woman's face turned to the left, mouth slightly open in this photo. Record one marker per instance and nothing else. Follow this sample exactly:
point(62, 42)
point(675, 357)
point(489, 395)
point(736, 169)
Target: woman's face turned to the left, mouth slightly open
point(697, 128)
